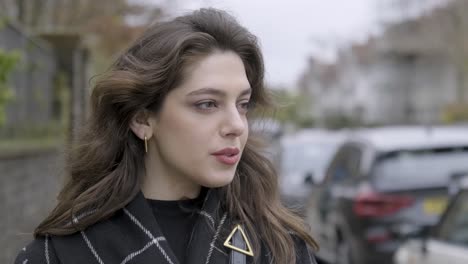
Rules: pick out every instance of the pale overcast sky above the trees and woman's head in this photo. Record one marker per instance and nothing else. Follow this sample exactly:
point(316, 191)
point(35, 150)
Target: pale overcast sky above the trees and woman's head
point(289, 31)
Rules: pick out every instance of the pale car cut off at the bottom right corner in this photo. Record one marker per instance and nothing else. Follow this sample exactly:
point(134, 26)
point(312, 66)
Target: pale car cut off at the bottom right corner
point(448, 241)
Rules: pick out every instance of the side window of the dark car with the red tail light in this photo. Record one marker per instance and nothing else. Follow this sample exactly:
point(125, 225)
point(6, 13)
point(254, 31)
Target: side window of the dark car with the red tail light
point(345, 164)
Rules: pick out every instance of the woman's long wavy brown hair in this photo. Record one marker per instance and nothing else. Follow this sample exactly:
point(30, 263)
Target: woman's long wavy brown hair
point(106, 164)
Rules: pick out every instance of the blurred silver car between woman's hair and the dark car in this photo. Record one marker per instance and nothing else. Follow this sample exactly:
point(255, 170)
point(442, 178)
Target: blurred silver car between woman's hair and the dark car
point(304, 157)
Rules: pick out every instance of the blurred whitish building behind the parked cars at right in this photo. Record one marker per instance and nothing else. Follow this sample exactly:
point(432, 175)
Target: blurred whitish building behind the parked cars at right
point(405, 76)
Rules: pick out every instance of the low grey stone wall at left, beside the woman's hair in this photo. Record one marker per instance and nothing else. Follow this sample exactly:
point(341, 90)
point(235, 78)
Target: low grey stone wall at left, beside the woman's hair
point(29, 183)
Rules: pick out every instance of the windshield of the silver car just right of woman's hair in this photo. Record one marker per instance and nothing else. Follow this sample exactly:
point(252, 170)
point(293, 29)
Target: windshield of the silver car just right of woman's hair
point(307, 157)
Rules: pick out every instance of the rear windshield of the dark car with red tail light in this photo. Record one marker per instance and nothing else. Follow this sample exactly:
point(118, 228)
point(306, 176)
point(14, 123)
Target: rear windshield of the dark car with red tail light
point(419, 168)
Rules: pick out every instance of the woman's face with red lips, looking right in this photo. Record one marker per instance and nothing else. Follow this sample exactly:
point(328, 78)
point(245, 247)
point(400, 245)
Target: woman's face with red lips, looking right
point(201, 130)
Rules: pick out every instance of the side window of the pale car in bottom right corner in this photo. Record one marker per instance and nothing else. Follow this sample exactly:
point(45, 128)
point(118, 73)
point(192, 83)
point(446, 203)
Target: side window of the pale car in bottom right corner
point(454, 227)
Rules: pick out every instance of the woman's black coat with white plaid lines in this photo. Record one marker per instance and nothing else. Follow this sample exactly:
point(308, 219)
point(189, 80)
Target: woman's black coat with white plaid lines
point(132, 235)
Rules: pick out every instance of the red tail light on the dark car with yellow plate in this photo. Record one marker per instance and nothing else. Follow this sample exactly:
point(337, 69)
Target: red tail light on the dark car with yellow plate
point(377, 205)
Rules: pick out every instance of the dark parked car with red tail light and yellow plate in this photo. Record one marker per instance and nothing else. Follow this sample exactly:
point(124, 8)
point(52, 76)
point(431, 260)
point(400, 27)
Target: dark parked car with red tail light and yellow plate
point(382, 185)
